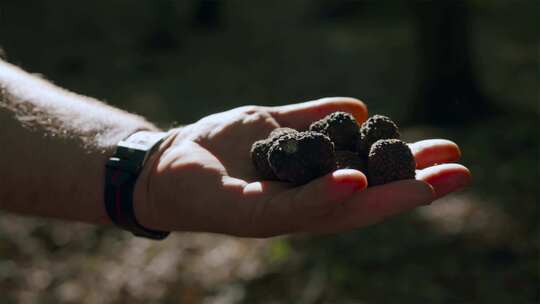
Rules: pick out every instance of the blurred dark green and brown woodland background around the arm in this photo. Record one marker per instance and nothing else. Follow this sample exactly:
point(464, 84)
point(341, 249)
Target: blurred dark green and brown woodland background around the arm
point(465, 70)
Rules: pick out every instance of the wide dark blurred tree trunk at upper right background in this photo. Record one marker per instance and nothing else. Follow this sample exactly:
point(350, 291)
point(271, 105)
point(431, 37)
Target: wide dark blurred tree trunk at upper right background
point(448, 92)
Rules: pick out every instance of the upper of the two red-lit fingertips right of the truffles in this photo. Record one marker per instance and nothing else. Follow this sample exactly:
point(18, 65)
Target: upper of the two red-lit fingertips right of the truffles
point(434, 151)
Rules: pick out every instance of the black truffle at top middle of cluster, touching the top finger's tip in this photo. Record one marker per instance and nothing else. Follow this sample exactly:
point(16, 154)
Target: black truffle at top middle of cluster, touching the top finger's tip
point(342, 129)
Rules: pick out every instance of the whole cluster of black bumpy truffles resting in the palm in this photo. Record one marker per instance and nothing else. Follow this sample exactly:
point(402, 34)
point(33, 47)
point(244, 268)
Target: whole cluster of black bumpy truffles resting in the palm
point(335, 142)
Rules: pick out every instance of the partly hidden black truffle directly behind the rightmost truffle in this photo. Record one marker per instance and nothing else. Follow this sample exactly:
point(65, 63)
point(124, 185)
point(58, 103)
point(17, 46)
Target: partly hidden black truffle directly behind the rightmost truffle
point(375, 128)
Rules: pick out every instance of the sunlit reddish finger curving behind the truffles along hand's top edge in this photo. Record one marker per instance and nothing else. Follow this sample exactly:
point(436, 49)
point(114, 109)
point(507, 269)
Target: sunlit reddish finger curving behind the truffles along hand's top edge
point(301, 115)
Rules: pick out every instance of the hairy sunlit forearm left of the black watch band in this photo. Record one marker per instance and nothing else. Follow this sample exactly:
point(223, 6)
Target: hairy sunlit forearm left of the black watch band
point(53, 147)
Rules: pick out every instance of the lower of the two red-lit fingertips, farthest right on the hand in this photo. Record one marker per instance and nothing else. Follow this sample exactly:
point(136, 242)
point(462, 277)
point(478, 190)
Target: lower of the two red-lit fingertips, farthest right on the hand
point(445, 178)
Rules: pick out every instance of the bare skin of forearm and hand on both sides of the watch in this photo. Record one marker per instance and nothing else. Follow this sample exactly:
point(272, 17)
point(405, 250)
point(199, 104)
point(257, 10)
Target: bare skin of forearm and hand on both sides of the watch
point(55, 145)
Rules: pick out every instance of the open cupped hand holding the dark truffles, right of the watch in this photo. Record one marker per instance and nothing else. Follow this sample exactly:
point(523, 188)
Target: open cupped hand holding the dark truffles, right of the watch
point(202, 179)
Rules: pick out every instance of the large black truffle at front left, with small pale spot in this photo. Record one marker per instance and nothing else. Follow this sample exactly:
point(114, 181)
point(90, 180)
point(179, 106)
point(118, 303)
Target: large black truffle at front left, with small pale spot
point(302, 156)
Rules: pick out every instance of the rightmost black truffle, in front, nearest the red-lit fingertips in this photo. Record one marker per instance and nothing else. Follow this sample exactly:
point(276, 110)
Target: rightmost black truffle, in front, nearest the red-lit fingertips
point(390, 160)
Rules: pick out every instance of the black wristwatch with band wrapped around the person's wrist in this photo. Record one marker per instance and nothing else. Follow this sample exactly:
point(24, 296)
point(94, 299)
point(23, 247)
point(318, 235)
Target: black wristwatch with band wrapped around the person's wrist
point(122, 170)
